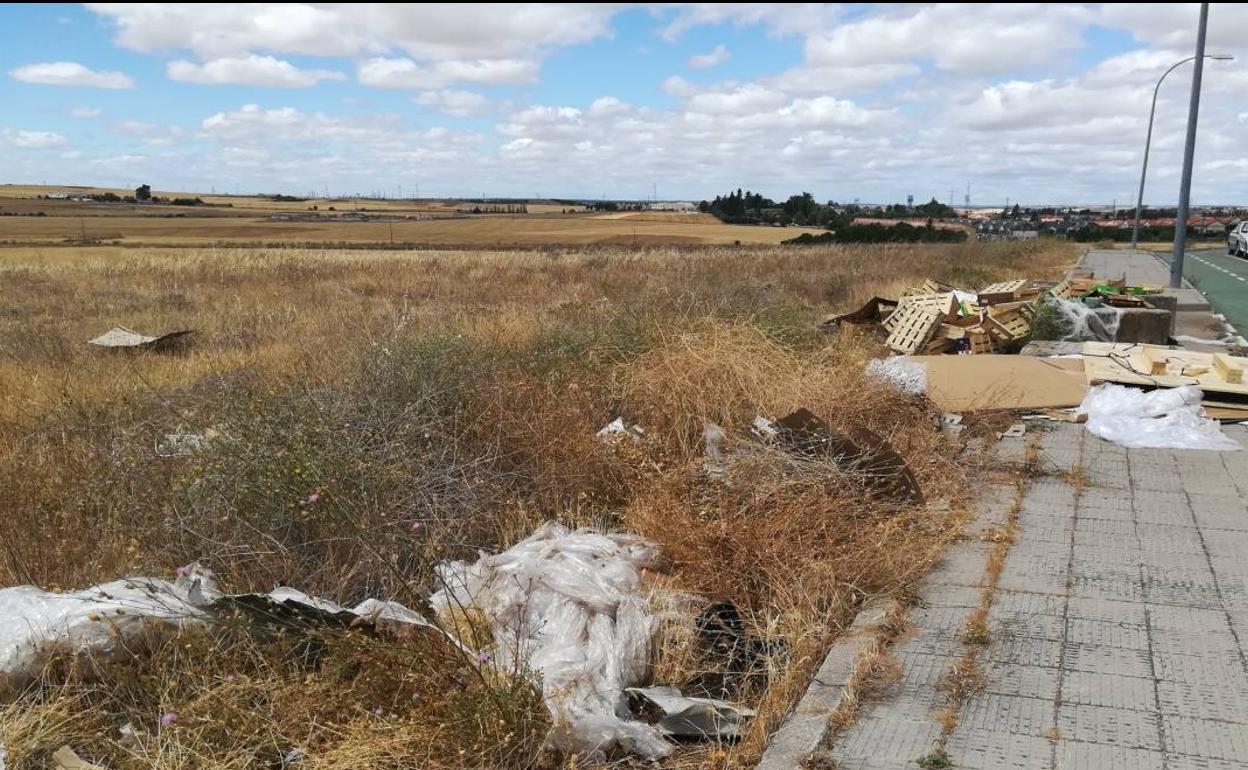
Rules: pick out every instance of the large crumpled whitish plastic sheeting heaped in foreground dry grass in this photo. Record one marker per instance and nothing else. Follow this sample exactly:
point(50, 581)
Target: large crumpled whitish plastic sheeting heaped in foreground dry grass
point(568, 606)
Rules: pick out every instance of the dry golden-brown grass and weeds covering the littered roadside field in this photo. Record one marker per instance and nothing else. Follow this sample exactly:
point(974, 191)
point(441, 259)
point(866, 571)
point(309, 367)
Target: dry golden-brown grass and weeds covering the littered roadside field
point(439, 404)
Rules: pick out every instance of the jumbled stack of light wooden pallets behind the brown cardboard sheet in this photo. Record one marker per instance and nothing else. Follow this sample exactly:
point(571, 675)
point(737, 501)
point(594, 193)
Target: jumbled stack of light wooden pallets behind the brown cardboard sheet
point(938, 319)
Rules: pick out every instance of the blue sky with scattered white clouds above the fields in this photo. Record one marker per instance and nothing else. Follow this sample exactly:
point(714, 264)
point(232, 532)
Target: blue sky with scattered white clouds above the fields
point(1038, 104)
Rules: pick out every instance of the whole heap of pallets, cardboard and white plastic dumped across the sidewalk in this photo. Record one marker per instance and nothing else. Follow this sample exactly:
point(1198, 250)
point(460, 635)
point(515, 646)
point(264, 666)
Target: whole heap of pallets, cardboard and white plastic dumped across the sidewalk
point(1081, 374)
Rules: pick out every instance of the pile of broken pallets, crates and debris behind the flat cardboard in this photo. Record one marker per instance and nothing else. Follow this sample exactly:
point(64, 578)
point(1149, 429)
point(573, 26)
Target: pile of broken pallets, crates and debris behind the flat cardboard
point(935, 318)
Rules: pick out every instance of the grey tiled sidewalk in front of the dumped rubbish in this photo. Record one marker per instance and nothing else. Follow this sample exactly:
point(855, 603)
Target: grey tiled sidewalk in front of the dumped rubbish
point(1119, 632)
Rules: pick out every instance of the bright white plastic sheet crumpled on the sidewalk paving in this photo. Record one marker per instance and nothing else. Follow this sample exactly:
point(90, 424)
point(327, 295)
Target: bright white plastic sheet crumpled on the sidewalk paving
point(1170, 419)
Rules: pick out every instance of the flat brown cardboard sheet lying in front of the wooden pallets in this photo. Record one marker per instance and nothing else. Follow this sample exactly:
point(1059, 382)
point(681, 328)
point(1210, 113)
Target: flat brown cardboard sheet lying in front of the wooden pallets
point(969, 384)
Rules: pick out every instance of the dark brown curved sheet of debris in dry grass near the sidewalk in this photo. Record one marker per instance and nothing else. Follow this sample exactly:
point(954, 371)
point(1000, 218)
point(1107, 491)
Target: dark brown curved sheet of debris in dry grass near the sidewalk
point(857, 450)
